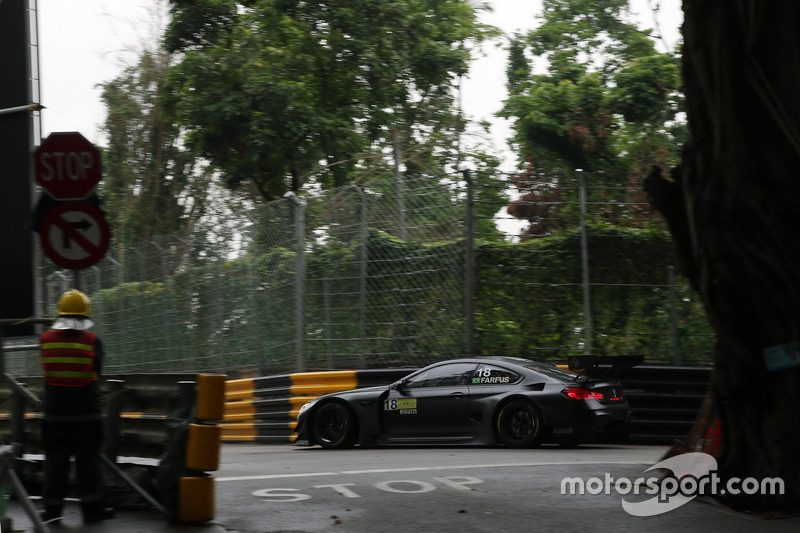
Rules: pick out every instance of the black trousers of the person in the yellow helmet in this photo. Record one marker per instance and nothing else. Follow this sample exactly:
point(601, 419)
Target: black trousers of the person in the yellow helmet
point(81, 440)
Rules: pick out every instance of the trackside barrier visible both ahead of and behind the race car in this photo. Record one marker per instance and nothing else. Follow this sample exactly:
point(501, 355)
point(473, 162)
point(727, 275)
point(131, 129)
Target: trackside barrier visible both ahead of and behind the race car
point(665, 401)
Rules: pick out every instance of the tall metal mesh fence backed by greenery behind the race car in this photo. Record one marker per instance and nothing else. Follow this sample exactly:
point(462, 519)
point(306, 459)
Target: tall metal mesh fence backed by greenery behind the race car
point(400, 273)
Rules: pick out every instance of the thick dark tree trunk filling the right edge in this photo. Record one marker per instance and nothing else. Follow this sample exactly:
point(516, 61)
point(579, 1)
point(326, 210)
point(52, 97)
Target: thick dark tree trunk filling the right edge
point(734, 211)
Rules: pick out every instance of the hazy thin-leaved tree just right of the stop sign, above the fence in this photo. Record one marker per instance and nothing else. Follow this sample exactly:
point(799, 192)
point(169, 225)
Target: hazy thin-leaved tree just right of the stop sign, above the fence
point(155, 187)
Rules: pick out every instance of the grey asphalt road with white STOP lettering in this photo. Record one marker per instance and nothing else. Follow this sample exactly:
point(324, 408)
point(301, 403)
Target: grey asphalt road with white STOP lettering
point(283, 488)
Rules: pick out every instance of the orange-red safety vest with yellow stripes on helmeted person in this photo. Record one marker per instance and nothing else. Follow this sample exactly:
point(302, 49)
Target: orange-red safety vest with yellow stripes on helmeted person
point(68, 357)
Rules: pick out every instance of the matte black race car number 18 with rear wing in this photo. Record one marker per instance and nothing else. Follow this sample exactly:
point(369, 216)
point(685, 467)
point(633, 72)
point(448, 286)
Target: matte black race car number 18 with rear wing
point(483, 401)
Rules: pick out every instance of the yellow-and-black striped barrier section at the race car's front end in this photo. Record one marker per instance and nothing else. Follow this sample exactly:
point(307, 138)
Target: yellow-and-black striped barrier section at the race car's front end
point(265, 409)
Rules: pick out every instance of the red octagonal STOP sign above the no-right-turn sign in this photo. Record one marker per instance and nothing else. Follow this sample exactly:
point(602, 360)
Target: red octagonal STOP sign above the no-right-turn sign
point(67, 166)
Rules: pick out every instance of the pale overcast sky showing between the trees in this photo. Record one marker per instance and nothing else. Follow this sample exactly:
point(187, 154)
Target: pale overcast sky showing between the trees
point(83, 43)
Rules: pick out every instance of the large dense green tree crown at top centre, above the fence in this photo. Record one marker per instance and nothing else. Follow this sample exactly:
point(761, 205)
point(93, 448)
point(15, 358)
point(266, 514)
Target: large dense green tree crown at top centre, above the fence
point(274, 91)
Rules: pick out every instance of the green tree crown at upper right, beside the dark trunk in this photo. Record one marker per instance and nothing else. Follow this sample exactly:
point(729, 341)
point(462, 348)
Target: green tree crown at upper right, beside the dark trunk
point(606, 102)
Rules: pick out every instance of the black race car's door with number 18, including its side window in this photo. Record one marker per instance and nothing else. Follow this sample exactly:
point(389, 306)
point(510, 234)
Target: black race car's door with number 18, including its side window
point(432, 403)
